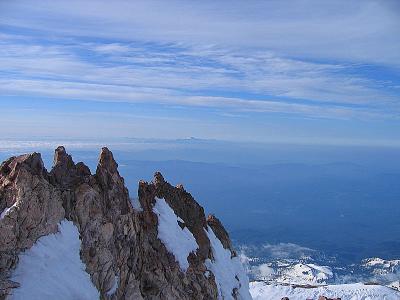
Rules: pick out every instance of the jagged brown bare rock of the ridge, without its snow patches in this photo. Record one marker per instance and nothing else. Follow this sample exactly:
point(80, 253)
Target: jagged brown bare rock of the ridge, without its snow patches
point(119, 243)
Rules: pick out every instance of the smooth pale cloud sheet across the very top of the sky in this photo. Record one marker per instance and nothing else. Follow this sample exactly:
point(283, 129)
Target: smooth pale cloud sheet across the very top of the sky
point(358, 31)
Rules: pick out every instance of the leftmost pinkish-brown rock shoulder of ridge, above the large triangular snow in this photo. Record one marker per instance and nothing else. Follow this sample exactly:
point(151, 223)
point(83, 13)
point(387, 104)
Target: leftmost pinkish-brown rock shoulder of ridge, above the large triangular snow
point(31, 207)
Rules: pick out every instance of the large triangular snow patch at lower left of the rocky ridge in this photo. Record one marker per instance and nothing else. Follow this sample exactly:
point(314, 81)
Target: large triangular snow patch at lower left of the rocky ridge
point(52, 269)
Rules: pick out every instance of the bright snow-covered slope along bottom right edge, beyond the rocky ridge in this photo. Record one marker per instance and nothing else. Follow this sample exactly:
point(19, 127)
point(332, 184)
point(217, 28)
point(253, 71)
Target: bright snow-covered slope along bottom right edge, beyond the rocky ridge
point(356, 291)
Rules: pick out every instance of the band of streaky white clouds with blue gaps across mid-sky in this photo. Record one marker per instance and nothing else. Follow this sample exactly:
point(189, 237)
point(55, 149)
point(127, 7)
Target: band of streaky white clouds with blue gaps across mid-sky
point(208, 76)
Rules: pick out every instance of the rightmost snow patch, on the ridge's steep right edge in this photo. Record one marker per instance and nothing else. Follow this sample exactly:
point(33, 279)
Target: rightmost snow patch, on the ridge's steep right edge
point(228, 271)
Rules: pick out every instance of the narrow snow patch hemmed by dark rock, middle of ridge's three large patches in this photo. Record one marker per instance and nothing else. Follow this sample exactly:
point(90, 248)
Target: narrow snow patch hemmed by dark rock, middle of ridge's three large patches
point(180, 242)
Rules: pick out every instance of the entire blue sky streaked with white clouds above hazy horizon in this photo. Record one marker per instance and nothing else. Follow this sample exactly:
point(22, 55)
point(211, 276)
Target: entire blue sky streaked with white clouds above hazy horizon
point(318, 72)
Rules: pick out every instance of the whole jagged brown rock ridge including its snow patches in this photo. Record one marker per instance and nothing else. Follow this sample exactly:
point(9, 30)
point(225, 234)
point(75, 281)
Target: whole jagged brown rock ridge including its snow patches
point(70, 234)
